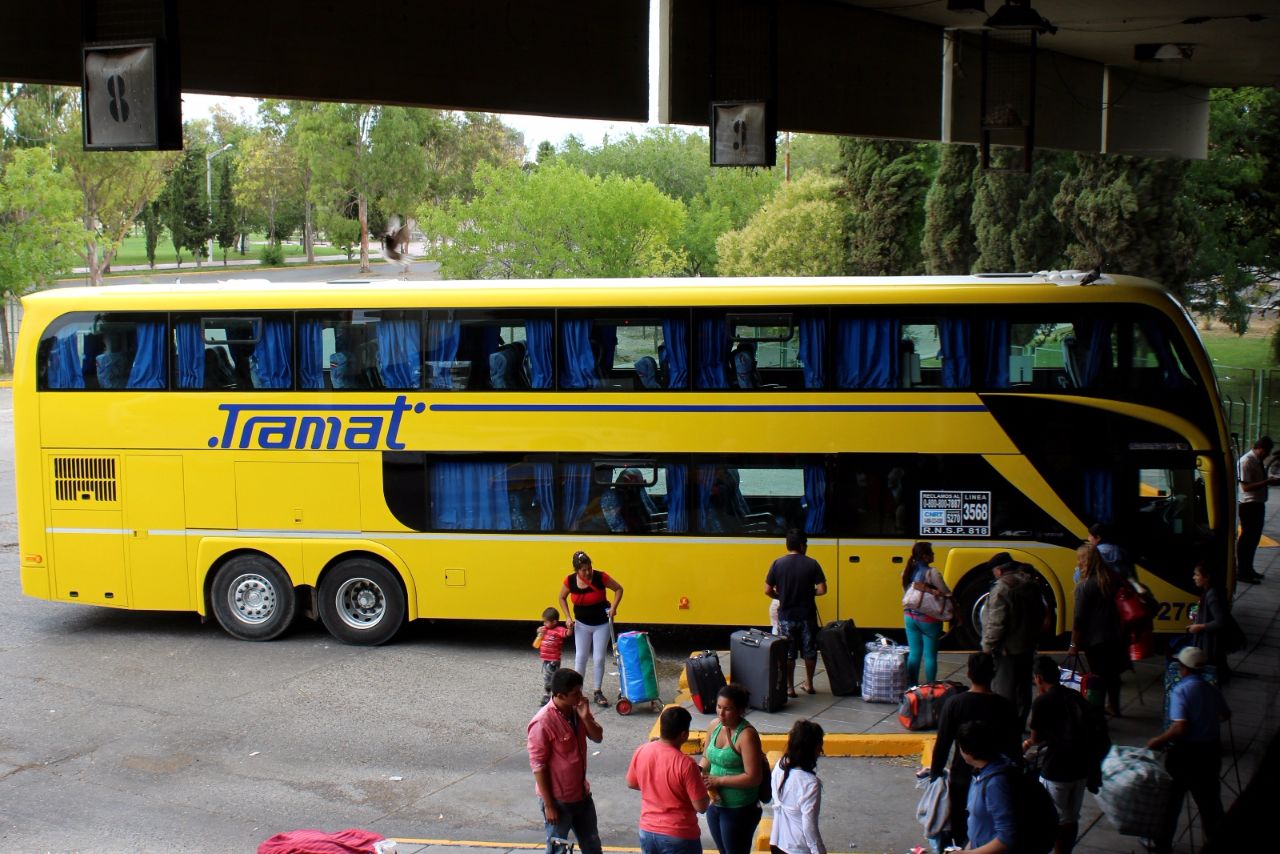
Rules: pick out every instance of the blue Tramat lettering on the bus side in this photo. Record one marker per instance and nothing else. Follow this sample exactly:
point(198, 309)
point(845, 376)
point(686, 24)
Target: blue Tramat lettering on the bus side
point(278, 427)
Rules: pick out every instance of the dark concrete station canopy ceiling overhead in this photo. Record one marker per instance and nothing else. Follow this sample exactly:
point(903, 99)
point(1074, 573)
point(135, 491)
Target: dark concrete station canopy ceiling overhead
point(856, 67)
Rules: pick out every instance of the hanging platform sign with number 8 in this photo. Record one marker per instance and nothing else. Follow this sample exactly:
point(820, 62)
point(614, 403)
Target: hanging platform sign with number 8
point(121, 104)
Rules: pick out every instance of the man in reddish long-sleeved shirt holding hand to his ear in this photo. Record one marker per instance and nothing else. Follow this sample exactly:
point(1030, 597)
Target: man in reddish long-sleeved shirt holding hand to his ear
point(557, 755)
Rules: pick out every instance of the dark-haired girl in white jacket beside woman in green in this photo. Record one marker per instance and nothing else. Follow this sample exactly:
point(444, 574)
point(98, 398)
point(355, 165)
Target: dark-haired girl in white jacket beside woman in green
point(798, 794)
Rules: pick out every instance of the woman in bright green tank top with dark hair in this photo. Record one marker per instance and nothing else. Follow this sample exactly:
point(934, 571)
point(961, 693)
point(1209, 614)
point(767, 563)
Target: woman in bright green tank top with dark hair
point(733, 766)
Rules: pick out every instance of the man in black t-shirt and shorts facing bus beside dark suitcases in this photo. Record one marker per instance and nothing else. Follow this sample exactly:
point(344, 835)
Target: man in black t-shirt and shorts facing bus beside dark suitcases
point(796, 581)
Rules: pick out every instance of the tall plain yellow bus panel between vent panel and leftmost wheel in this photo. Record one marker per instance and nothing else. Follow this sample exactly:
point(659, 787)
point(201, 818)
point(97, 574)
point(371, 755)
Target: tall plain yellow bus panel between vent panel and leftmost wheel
point(156, 533)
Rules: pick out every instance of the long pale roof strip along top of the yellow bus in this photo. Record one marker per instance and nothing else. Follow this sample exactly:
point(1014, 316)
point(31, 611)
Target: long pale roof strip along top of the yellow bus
point(373, 294)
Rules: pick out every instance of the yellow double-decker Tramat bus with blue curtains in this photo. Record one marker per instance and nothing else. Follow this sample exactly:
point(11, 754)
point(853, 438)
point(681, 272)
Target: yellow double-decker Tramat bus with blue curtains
point(374, 453)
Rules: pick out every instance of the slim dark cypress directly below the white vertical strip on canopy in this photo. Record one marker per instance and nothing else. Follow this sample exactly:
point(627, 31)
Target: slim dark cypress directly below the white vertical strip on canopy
point(950, 244)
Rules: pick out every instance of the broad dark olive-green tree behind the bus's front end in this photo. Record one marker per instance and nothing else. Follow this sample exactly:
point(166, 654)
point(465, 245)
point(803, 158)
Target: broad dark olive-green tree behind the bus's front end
point(1130, 216)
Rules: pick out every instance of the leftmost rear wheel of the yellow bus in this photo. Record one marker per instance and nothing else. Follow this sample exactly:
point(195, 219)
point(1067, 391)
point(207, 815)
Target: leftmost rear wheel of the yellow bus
point(254, 599)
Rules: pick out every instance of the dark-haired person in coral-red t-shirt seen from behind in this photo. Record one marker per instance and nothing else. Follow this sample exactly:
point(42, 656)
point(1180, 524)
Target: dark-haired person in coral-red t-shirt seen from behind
point(671, 787)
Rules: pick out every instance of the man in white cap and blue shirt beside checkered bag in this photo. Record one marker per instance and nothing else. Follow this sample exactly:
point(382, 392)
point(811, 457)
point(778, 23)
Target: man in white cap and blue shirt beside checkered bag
point(1195, 756)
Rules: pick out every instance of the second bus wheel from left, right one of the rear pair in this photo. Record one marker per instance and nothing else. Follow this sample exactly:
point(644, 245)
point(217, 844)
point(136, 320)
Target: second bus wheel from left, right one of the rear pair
point(362, 602)
